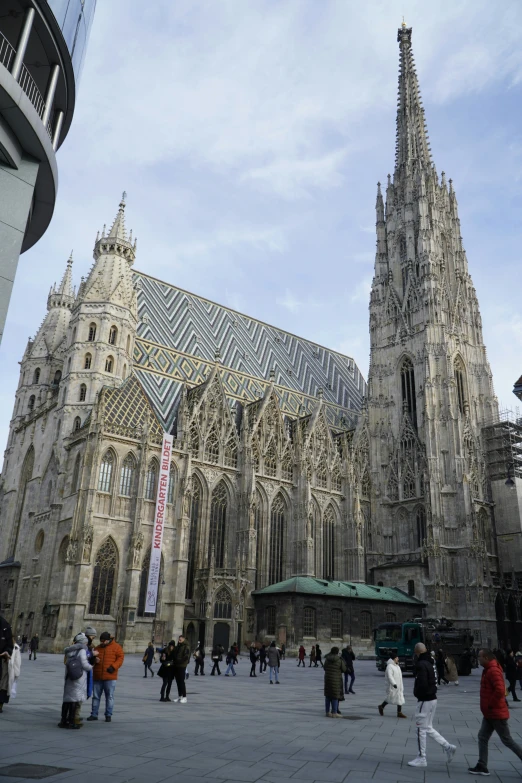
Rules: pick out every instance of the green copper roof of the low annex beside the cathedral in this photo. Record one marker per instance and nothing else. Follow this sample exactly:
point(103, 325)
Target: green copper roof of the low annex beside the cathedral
point(312, 586)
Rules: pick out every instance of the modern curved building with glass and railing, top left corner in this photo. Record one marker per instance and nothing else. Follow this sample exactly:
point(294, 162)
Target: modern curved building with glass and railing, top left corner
point(42, 49)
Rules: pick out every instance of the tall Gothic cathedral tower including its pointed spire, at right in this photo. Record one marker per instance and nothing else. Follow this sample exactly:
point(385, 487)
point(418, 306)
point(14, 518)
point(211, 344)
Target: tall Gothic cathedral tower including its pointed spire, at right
point(430, 388)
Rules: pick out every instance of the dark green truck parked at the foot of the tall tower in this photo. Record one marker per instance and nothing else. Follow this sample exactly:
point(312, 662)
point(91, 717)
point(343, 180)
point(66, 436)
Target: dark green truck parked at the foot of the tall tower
point(392, 639)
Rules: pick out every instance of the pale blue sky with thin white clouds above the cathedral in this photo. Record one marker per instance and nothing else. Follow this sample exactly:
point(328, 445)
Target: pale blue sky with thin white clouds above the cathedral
point(250, 136)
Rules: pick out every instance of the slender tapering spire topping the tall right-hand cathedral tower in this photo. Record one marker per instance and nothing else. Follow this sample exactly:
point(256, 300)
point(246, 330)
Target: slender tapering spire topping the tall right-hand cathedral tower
point(412, 145)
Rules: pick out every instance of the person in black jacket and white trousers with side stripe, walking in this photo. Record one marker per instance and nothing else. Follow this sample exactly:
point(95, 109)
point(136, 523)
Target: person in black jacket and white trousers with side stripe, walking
point(425, 691)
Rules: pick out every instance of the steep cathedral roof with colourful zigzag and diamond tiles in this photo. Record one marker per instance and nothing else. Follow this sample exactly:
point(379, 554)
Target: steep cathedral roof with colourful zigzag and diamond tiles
point(180, 334)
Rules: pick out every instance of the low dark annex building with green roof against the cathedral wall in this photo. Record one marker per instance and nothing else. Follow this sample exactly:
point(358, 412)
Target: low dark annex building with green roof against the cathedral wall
point(305, 610)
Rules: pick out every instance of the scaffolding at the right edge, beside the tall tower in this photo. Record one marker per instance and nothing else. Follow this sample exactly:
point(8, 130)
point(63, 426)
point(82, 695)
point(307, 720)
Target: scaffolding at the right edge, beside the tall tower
point(503, 445)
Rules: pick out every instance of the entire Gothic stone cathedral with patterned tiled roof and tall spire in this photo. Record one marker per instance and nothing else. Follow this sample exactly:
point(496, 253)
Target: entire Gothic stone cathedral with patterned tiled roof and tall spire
point(284, 464)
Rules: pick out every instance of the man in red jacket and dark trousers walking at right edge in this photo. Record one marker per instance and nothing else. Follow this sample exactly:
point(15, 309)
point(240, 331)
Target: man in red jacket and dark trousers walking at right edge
point(494, 708)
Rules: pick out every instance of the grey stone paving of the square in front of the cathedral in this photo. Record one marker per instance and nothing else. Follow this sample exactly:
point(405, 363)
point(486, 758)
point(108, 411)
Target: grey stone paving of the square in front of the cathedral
point(243, 729)
